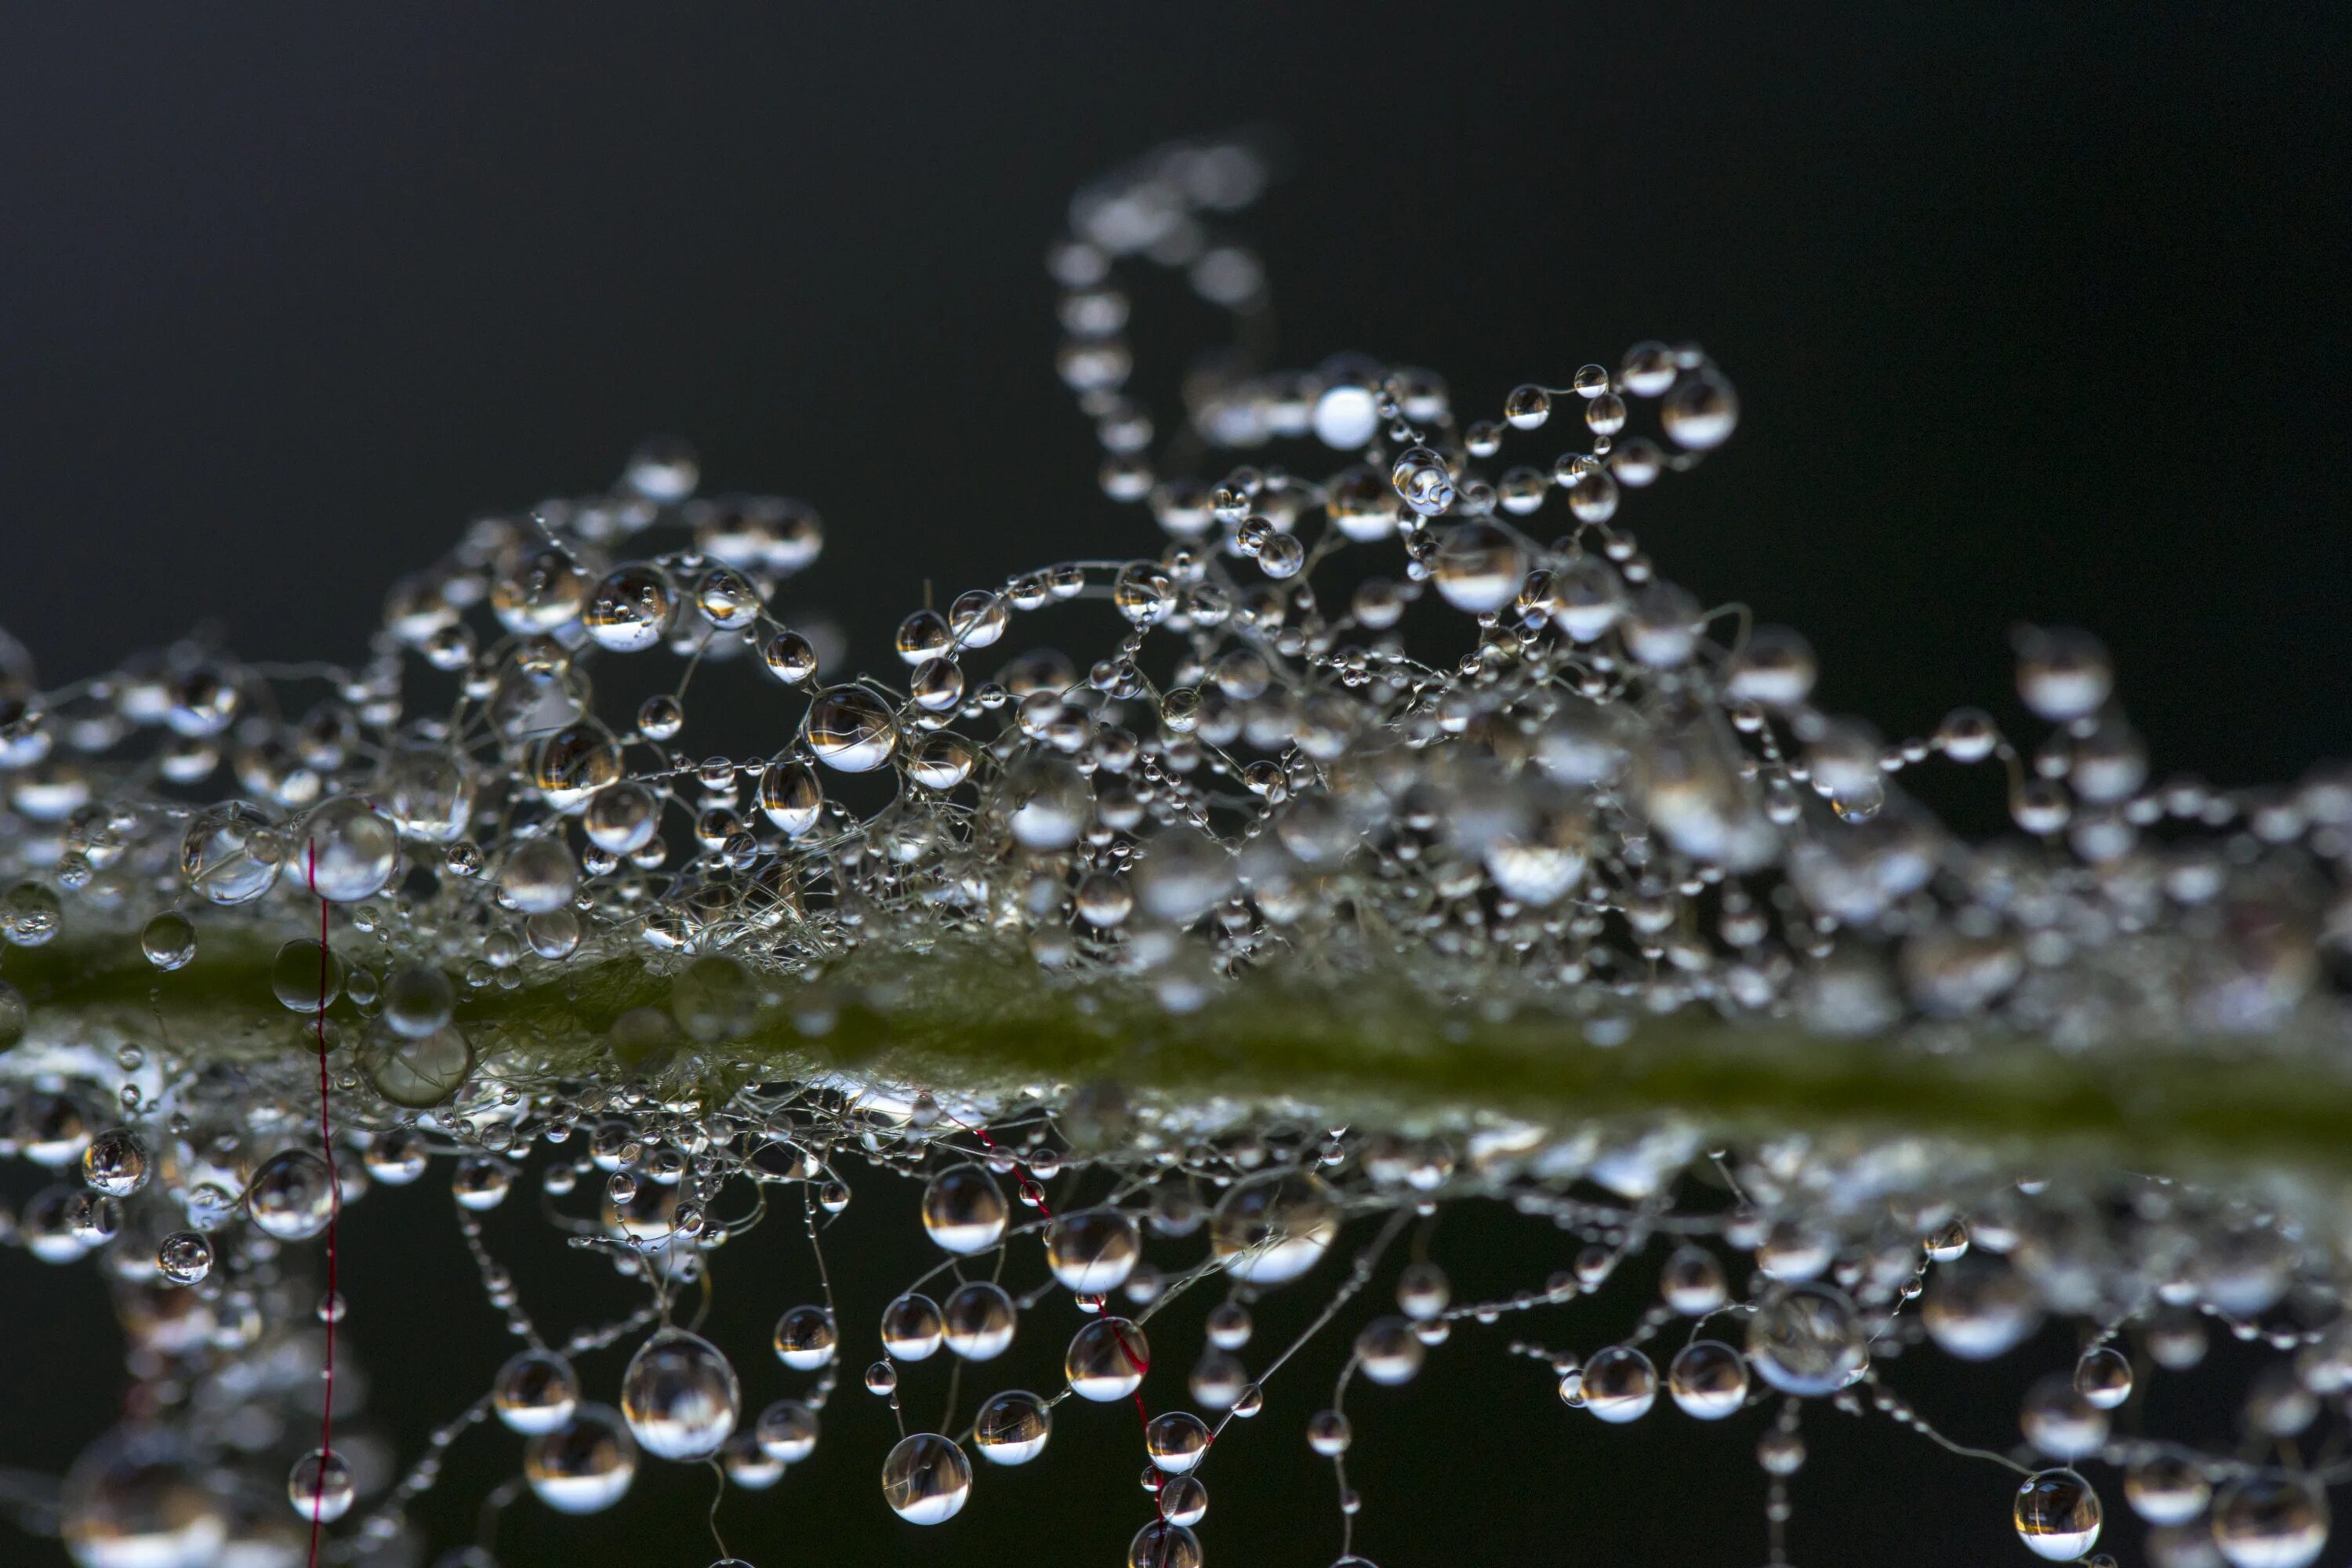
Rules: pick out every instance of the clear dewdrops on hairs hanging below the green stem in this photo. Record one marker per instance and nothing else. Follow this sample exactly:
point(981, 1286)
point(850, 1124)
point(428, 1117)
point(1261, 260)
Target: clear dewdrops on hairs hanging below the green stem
point(1786, 1285)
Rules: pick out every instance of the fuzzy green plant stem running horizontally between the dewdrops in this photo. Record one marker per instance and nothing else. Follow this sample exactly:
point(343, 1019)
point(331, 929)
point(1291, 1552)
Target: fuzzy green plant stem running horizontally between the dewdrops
point(1368, 1052)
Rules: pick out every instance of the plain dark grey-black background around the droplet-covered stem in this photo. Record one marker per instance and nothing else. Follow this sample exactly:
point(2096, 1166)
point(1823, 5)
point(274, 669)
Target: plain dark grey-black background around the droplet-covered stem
point(2036, 314)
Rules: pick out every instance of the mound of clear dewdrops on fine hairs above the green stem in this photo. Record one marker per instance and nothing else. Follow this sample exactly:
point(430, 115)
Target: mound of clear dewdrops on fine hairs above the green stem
point(1610, 800)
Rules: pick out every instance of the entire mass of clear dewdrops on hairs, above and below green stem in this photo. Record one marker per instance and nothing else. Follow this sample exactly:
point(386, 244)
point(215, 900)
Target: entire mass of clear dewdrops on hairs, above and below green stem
point(1601, 808)
